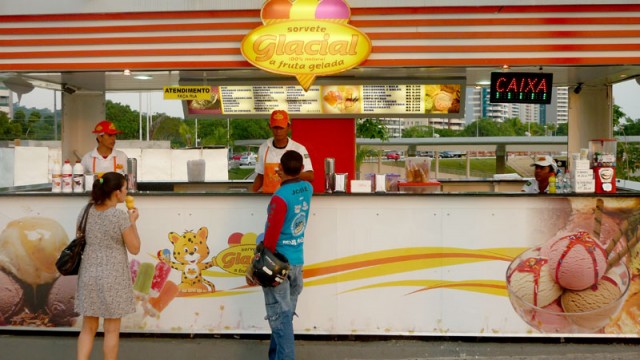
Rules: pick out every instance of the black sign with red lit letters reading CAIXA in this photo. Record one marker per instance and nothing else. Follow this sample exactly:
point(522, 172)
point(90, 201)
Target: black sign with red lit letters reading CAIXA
point(524, 88)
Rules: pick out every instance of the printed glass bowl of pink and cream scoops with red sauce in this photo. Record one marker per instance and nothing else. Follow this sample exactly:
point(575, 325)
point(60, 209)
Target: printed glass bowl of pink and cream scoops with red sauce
point(577, 281)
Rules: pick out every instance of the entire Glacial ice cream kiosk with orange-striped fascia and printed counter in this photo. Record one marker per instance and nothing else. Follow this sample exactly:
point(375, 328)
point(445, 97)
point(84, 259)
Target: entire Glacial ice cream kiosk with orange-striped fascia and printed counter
point(449, 263)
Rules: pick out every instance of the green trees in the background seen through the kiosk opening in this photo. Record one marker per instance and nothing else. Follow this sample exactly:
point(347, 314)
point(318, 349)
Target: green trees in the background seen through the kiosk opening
point(40, 124)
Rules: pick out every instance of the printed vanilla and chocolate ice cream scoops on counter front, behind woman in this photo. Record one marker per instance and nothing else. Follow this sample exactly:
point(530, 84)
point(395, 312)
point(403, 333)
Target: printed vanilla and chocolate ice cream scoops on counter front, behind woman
point(32, 293)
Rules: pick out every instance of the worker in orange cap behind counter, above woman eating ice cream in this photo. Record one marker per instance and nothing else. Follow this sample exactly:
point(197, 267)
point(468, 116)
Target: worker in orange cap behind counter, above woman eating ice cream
point(105, 158)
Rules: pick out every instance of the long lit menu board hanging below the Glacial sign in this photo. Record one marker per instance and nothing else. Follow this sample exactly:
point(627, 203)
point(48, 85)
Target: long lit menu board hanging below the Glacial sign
point(418, 99)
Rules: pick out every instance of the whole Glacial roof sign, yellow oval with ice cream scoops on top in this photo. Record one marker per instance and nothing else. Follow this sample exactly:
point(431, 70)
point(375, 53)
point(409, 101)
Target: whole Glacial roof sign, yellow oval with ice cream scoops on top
point(306, 39)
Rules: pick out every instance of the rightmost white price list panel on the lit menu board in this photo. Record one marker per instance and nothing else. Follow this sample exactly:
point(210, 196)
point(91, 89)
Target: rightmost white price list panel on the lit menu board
point(389, 99)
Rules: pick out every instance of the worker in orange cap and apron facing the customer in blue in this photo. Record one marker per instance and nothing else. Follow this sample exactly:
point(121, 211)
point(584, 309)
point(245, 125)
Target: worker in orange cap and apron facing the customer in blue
point(269, 174)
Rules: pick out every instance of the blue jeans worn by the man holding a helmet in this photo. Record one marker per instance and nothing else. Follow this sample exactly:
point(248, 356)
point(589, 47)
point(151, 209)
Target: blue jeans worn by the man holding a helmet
point(281, 302)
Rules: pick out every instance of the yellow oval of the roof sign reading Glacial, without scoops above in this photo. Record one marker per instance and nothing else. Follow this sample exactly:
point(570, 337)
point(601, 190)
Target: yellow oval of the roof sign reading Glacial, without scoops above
point(308, 48)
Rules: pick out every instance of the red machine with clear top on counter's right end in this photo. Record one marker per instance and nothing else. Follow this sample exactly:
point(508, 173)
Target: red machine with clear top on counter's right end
point(603, 163)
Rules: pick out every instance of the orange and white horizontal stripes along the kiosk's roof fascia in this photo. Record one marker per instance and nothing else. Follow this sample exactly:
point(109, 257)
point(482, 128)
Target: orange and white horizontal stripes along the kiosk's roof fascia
point(532, 35)
